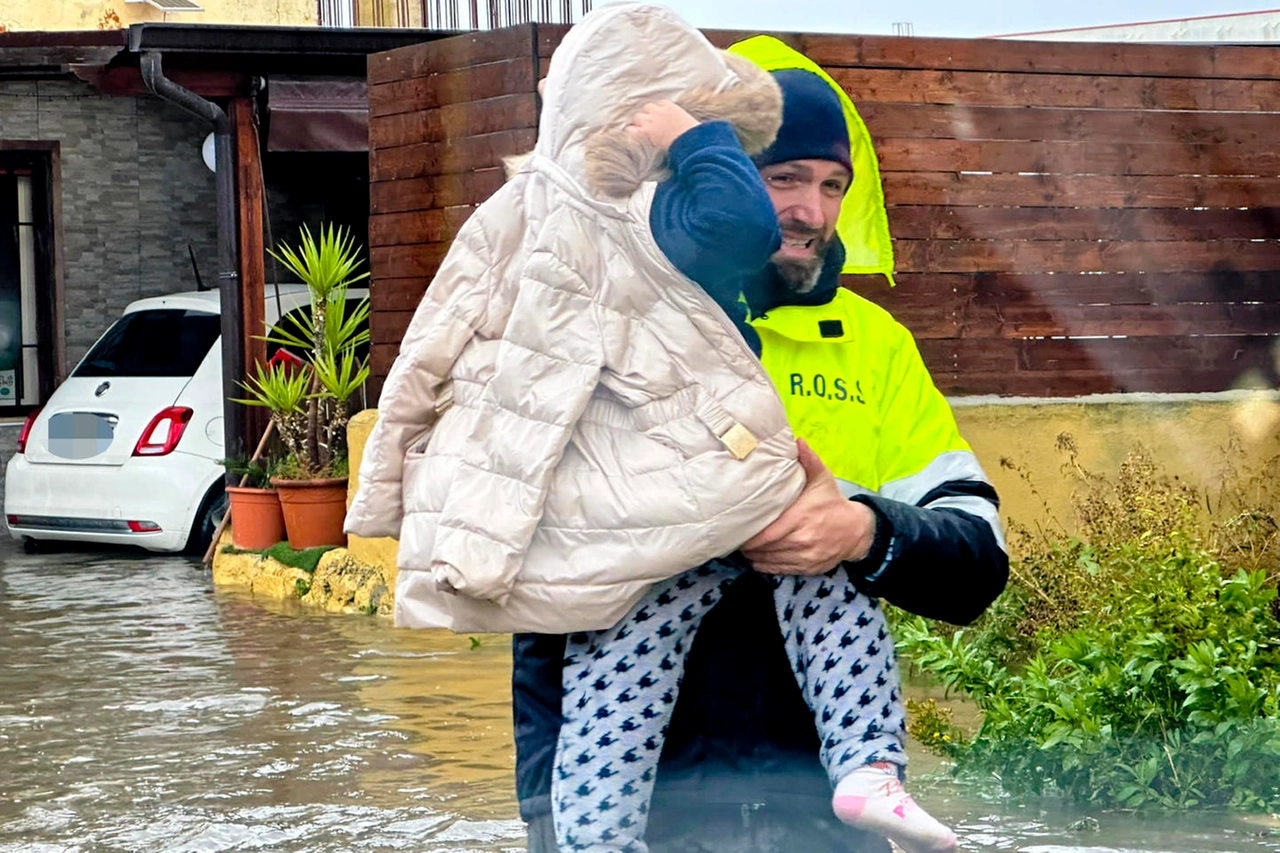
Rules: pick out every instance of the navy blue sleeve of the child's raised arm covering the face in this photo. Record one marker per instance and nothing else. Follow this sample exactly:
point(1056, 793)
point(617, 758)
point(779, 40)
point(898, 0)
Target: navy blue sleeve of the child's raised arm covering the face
point(714, 217)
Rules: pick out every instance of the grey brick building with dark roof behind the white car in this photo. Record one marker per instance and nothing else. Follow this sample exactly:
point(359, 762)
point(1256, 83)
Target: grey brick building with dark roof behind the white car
point(106, 191)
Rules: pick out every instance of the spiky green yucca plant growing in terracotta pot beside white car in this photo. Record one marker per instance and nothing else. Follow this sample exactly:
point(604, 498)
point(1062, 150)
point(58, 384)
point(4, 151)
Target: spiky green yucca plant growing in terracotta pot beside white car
point(310, 405)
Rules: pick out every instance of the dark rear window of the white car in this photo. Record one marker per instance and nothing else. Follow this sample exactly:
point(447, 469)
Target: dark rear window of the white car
point(164, 343)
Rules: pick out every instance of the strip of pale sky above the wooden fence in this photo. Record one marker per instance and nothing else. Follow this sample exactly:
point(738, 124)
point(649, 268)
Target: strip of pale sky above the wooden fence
point(950, 19)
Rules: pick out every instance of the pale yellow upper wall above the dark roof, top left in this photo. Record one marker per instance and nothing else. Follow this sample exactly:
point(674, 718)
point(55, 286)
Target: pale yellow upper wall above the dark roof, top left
point(106, 15)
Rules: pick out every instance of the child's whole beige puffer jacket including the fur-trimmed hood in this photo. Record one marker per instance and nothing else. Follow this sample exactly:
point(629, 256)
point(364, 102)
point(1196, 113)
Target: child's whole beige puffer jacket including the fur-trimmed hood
point(570, 419)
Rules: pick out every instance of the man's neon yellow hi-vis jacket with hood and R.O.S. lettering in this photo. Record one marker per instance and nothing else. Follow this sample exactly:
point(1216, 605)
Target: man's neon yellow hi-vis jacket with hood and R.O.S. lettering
point(856, 387)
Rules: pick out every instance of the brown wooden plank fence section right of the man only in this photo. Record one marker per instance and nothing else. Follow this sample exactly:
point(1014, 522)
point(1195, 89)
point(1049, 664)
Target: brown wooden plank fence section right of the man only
point(1077, 218)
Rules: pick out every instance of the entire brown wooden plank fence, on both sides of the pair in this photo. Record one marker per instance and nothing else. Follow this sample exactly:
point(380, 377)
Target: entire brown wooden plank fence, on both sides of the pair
point(1068, 218)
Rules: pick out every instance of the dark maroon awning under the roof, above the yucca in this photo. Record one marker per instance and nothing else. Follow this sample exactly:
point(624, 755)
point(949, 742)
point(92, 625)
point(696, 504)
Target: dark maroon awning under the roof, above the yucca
point(318, 115)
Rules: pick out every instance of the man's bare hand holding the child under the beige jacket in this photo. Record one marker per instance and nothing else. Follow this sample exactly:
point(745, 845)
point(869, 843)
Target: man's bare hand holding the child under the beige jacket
point(819, 532)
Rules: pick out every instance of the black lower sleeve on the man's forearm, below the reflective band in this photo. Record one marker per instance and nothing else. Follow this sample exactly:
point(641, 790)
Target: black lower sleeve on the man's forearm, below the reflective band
point(938, 563)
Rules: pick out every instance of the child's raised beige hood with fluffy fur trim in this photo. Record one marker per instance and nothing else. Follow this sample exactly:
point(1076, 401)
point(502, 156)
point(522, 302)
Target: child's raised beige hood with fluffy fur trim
point(624, 57)
